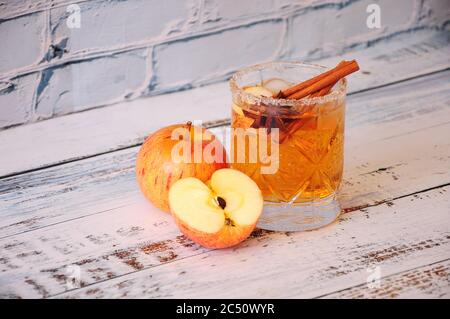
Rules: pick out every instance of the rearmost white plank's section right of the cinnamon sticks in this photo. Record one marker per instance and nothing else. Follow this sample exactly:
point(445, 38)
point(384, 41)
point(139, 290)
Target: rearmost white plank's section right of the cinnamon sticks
point(396, 59)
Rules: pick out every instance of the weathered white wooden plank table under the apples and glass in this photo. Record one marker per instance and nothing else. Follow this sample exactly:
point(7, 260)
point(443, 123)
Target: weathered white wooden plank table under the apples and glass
point(70, 207)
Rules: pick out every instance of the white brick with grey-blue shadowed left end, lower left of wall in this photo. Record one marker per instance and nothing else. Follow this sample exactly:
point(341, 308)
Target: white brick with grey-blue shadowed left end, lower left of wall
point(82, 85)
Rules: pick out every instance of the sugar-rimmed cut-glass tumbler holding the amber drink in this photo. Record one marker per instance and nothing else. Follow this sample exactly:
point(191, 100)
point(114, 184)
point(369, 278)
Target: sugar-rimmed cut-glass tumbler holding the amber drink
point(293, 149)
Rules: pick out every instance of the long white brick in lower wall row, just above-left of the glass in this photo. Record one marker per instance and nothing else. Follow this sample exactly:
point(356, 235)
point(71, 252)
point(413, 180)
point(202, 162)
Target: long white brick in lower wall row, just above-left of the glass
point(202, 59)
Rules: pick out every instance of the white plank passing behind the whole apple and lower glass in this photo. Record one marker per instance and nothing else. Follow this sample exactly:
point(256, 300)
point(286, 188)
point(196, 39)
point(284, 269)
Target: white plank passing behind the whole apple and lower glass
point(375, 122)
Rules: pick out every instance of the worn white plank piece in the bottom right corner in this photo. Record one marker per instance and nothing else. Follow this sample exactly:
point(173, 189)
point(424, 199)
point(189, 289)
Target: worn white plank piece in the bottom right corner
point(430, 281)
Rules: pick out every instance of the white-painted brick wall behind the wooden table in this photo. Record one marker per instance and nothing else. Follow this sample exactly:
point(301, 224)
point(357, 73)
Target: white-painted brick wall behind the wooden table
point(126, 49)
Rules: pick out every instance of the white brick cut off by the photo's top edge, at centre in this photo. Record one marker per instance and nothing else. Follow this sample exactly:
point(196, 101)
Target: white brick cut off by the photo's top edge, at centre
point(218, 10)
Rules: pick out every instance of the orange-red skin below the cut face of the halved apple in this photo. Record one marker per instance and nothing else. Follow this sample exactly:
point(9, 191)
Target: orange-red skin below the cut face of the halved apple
point(226, 237)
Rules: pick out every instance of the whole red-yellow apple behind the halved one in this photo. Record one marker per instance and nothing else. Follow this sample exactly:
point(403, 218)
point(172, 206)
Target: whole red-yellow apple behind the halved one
point(176, 152)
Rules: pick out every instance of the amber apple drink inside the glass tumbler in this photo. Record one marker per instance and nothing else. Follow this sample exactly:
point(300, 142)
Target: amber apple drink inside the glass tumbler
point(310, 154)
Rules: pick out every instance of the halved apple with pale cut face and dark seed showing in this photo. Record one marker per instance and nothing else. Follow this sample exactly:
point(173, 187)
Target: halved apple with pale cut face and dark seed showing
point(219, 214)
